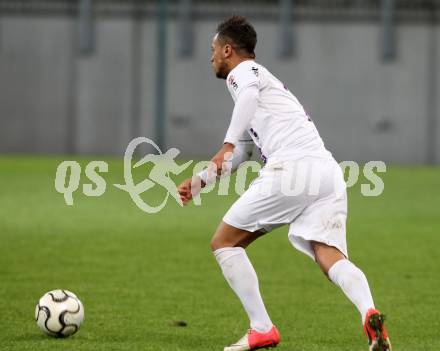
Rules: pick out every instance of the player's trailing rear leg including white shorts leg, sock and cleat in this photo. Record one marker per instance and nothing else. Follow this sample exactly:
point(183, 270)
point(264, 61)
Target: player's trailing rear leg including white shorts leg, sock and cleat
point(320, 232)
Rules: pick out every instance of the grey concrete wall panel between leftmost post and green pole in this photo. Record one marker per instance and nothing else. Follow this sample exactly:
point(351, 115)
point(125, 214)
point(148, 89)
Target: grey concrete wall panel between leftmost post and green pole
point(104, 91)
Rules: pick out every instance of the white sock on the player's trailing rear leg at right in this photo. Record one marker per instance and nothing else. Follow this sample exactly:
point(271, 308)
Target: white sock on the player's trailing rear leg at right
point(354, 284)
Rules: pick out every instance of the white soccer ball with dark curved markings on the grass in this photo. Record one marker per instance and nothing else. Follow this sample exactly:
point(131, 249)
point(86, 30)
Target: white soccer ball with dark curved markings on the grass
point(59, 313)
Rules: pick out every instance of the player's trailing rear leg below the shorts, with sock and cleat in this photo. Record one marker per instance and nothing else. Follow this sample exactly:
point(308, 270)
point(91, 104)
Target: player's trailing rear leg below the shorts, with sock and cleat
point(354, 284)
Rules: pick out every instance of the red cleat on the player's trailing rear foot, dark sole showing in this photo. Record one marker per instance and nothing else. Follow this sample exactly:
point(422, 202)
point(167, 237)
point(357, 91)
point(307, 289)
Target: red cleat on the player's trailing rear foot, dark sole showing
point(378, 339)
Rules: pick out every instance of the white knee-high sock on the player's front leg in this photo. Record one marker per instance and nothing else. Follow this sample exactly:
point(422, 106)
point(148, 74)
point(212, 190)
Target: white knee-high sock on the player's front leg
point(241, 276)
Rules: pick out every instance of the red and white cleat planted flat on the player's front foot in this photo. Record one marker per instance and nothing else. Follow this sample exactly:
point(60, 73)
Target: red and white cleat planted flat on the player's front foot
point(254, 340)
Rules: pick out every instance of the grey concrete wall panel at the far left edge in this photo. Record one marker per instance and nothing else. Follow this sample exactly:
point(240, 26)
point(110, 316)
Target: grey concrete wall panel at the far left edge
point(35, 70)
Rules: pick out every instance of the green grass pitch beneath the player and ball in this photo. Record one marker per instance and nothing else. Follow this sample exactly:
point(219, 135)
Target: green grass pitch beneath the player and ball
point(136, 272)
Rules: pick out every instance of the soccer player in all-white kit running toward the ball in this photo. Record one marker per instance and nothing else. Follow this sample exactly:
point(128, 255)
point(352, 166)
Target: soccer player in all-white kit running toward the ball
point(292, 151)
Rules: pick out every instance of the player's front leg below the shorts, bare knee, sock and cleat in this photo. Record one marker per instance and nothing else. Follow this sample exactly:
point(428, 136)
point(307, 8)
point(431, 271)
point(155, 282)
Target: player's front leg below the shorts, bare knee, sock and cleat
point(228, 245)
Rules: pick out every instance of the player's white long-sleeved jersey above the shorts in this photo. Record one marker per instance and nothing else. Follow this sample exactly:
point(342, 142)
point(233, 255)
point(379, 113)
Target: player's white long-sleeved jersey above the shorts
point(280, 127)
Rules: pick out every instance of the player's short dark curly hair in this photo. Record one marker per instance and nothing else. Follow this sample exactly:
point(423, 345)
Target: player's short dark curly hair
point(238, 32)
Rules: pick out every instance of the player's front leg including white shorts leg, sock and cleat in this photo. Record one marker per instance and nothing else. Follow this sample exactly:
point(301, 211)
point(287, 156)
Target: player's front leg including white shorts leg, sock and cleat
point(260, 209)
